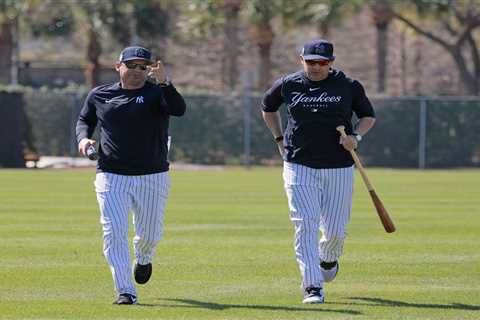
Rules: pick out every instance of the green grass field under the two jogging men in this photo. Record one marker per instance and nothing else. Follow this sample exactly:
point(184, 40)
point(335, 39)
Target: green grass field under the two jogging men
point(227, 251)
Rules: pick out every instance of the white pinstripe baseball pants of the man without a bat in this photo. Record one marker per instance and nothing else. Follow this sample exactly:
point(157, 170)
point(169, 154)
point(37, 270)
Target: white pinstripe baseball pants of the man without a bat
point(146, 196)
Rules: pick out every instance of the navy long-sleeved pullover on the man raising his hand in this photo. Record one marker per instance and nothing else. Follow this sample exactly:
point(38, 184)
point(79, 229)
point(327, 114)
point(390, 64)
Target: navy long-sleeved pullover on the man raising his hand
point(133, 126)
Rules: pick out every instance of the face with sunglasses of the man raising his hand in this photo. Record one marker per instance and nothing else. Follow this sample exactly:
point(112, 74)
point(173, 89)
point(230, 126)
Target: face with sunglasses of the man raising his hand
point(133, 73)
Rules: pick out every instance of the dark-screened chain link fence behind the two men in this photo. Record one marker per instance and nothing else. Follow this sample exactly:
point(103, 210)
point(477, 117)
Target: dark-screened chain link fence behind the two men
point(411, 132)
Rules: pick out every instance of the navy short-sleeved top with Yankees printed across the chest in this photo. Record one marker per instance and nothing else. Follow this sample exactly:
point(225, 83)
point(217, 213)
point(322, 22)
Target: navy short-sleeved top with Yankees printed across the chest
point(314, 110)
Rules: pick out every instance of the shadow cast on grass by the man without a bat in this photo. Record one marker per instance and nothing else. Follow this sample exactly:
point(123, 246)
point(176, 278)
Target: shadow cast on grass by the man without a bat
point(189, 303)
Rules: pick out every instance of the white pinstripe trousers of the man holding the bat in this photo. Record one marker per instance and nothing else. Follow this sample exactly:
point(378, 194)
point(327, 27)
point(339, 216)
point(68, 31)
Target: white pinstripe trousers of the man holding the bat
point(319, 200)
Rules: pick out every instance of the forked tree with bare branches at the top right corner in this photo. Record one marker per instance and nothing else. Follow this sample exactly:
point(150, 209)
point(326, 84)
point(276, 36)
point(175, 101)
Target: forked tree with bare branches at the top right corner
point(452, 25)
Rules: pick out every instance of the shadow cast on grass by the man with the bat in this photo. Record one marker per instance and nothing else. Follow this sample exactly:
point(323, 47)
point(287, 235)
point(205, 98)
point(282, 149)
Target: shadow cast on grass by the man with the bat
point(393, 303)
